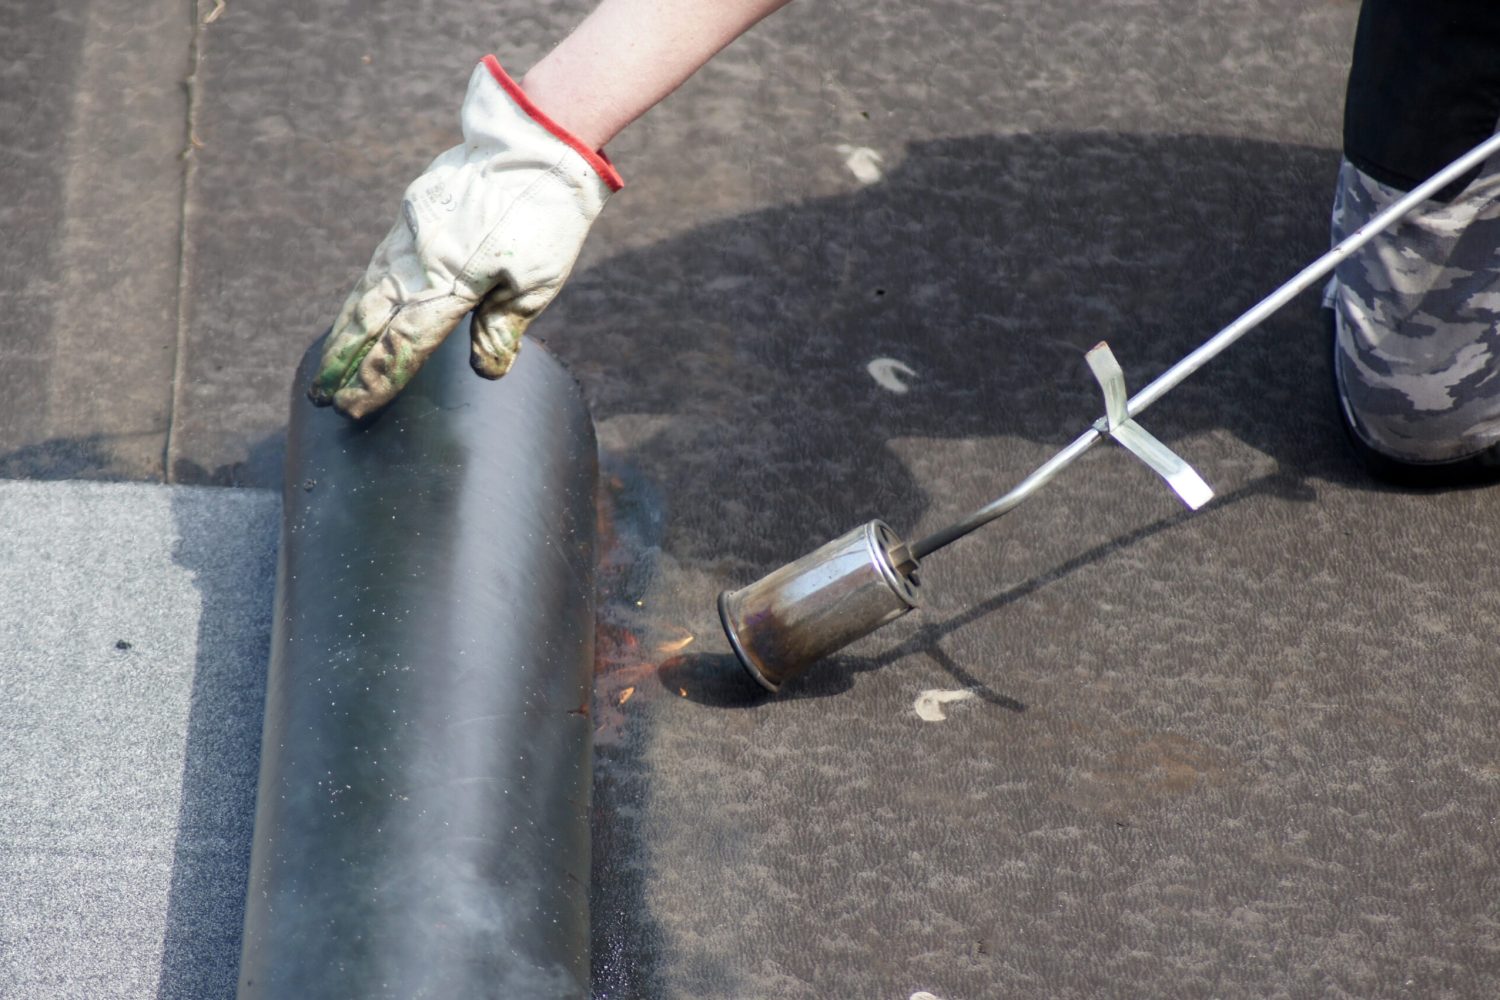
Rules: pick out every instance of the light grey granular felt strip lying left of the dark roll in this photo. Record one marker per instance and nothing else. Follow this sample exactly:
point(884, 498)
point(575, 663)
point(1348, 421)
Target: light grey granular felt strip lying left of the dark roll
point(134, 627)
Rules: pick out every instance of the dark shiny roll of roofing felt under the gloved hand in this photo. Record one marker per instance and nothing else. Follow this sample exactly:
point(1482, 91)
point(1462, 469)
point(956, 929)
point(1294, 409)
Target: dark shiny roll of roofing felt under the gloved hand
point(422, 821)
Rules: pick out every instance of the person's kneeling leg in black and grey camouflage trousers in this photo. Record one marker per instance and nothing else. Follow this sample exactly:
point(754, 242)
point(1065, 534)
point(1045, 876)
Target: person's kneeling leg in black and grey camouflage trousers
point(1417, 313)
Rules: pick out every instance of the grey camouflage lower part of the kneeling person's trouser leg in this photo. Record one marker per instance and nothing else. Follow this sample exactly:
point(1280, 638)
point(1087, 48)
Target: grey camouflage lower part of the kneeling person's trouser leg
point(1418, 322)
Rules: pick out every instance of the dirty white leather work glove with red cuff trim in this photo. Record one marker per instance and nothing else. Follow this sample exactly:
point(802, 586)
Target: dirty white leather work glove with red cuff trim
point(493, 226)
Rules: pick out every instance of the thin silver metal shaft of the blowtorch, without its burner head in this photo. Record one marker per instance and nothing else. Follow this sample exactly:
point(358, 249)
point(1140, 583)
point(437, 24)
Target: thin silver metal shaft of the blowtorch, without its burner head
point(1211, 349)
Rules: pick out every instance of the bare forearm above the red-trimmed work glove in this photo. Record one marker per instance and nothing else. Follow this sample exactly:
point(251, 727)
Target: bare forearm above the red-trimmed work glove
point(629, 55)
